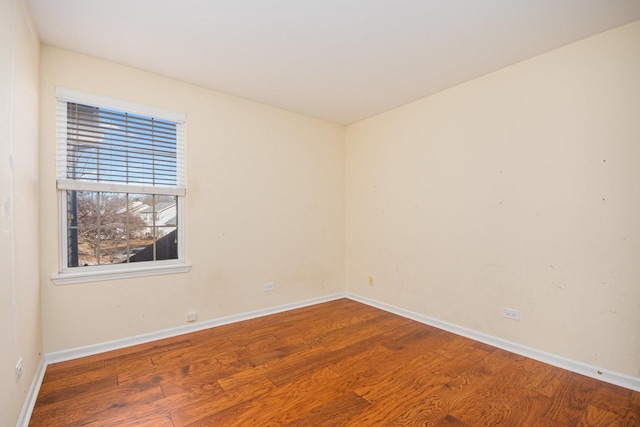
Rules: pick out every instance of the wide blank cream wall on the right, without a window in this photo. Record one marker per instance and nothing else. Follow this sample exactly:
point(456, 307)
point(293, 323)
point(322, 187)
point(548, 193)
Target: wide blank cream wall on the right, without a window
point(519, 189)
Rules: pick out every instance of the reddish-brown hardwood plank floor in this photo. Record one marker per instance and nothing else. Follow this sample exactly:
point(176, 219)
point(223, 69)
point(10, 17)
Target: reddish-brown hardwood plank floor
point(339, 363)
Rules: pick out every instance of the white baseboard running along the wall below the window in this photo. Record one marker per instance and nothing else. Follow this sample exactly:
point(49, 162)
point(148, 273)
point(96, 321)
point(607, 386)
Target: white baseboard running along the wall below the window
point(89, 350)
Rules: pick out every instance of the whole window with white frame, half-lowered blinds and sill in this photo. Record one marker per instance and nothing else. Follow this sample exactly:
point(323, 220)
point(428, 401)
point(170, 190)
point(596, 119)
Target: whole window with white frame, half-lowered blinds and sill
point(120, 174)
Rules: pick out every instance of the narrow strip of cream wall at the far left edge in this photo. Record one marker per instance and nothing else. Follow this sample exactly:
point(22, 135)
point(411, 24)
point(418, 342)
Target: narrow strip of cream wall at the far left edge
point(20, 322)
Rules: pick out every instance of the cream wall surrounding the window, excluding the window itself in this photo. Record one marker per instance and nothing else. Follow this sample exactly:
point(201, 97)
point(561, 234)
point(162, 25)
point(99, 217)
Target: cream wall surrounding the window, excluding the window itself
point(265, 203)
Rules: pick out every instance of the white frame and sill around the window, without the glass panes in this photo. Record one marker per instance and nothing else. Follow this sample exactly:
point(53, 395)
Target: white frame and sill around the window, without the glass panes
point(71, 275)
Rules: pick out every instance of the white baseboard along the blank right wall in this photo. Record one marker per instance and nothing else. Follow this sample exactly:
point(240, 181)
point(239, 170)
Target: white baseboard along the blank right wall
point(601, 374)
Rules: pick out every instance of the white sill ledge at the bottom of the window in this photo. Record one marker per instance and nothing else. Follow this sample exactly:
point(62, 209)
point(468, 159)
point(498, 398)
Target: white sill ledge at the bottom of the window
point(96, 274)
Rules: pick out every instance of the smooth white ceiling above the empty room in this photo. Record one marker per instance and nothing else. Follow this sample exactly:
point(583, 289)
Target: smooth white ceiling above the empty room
point(338, 60)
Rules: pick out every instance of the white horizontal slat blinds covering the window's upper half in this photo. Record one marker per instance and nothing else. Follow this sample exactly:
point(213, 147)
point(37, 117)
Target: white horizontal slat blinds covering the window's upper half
point(103, 147)
